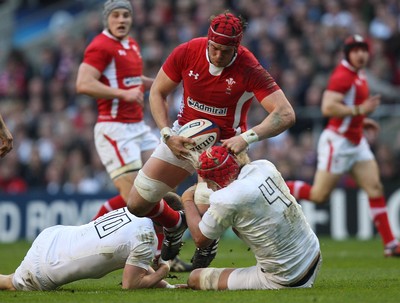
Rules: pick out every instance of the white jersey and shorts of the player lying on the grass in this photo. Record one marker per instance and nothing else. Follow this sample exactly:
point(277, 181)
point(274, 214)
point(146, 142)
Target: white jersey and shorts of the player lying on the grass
point(62, 254)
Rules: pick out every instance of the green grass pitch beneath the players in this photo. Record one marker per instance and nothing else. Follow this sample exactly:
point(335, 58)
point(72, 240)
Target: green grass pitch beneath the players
point(352, 271)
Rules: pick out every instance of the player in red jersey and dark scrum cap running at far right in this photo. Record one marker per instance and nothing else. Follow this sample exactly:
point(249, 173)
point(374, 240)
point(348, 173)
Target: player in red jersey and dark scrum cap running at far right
point(343, 147)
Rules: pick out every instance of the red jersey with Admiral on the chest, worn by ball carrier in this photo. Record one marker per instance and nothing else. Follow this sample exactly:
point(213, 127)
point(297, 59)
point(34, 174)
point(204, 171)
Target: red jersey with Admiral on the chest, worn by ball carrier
point(225, 98)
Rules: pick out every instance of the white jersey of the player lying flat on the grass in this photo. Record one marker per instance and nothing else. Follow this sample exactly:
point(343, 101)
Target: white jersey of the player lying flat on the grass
point(97, 248)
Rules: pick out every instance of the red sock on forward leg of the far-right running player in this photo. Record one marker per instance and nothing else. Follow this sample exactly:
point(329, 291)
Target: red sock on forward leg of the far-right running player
point(380, 218)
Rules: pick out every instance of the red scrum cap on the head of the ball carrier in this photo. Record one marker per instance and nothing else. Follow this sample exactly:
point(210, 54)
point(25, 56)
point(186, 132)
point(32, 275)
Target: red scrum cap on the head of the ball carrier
point(226, 29)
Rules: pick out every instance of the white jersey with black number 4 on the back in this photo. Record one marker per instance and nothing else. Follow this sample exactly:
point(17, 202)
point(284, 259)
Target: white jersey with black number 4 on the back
point(267, 218)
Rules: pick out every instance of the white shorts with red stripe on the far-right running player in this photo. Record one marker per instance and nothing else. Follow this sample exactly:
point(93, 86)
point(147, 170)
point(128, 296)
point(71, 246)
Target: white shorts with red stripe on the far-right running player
point(337, 155)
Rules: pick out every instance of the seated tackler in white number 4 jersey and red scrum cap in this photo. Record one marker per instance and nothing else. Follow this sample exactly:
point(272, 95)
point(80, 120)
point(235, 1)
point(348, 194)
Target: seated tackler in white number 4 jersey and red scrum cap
point(253, 199)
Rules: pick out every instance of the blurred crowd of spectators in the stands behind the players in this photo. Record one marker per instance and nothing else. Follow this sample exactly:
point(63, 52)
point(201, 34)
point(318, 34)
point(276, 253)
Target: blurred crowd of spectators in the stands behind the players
point(297, 41)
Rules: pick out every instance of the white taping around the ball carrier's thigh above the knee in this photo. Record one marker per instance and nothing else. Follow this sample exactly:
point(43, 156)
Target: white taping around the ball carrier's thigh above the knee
point(150, 189)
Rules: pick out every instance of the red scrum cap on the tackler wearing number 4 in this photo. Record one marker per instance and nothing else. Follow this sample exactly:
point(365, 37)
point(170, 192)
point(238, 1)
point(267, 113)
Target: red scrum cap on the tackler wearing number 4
point(218, 165)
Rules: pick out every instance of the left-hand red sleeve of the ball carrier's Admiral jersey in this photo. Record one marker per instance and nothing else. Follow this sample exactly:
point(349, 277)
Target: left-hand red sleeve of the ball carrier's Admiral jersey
point(175, 62)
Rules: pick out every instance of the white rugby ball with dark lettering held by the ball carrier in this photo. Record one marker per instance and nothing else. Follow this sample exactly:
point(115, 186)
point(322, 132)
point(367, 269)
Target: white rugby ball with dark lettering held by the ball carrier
point(204, 132)
